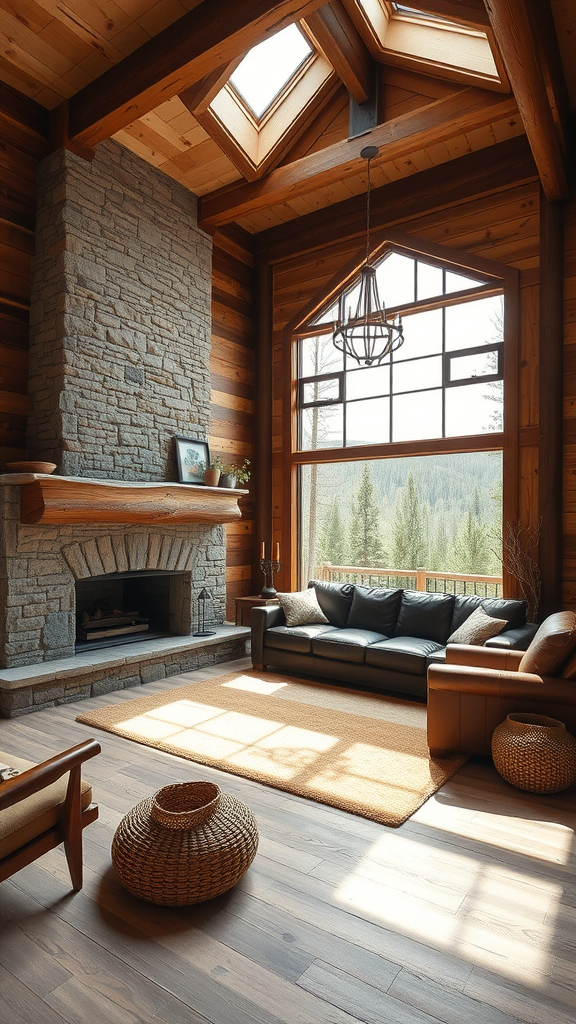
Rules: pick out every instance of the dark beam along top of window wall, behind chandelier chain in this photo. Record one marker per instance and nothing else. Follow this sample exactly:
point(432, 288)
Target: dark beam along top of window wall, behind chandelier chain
point(486, 173)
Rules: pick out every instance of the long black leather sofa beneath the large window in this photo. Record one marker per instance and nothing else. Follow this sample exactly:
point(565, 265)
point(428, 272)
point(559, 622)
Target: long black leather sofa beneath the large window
point(377, 638)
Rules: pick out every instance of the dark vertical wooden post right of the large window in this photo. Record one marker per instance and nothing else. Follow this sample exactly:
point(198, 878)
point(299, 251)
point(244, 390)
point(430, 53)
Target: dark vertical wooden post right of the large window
point(551, 416)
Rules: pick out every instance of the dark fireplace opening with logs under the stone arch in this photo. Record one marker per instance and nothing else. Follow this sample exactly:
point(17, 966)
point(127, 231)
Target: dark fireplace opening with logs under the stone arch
point(129, 608)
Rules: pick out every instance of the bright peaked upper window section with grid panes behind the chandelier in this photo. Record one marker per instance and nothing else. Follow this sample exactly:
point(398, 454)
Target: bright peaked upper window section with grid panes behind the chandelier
point(445, 380)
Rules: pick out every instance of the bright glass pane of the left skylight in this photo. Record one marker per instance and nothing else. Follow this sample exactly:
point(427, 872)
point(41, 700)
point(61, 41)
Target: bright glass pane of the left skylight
point(268, 68)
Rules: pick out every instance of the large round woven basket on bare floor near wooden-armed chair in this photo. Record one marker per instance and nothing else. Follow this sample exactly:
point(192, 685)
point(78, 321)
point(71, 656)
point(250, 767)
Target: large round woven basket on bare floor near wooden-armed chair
point(187, 844)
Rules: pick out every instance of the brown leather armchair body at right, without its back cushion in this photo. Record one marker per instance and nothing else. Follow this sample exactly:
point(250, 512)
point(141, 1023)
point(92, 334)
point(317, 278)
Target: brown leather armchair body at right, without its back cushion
point(477, 689)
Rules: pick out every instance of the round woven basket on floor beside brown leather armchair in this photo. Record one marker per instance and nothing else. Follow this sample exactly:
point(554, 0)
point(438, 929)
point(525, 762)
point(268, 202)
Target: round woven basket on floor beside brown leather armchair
point(534, 753)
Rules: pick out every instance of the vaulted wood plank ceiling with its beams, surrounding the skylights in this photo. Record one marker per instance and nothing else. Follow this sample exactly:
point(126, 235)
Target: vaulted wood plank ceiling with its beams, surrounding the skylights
point(97, 66)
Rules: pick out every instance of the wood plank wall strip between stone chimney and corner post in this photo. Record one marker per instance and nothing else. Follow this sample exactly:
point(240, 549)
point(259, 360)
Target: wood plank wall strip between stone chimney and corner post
point(232, 410)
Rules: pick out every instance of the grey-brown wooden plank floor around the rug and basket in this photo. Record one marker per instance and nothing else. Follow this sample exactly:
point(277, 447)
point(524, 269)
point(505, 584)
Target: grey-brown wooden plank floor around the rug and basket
point(466, 914)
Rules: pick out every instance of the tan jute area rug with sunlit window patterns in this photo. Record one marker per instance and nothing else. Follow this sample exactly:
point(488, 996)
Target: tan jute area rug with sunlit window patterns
point(360, 752)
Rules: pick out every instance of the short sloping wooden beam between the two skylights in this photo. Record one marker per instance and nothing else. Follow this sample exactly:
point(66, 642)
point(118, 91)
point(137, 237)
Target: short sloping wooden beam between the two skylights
point(336, 34)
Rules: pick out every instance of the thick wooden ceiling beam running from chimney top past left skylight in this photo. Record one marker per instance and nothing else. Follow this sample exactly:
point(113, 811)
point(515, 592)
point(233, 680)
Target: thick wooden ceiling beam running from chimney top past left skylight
point(209, 37)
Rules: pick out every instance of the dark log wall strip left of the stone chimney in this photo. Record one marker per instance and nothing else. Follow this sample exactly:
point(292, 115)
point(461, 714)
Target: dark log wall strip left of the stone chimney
point(24, 127)
